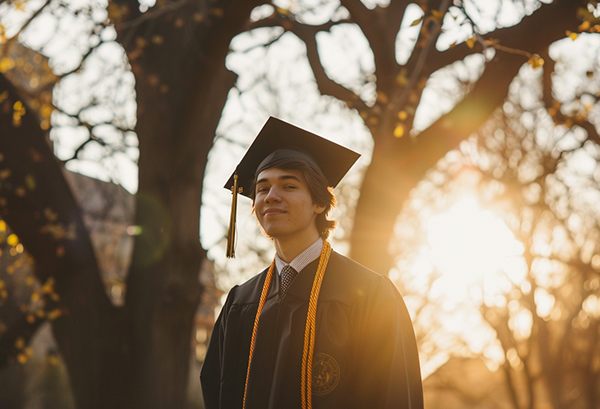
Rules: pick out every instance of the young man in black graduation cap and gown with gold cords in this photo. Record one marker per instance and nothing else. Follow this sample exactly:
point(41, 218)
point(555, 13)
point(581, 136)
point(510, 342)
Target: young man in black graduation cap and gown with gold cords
point(315, 329)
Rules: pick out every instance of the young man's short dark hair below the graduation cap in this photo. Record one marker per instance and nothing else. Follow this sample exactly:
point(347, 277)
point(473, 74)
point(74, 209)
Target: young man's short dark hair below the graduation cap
point(320, 192)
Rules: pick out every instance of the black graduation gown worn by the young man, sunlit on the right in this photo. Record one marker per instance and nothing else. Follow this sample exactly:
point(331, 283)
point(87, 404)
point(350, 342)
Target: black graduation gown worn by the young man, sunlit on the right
point(365, 352)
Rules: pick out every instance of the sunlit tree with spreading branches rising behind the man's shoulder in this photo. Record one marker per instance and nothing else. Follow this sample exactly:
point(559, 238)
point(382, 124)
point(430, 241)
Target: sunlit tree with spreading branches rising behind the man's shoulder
point(387, 95)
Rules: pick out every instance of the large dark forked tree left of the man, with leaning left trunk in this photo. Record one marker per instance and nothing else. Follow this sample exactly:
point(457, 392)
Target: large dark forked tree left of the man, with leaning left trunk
point(136, 355)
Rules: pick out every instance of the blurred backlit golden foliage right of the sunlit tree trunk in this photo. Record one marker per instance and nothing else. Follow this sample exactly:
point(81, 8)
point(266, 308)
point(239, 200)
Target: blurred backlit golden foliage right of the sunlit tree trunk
point(534, 164)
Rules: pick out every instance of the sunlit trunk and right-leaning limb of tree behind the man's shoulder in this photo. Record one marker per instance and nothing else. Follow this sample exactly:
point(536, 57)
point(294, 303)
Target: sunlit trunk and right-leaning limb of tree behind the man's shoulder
point(398, 164)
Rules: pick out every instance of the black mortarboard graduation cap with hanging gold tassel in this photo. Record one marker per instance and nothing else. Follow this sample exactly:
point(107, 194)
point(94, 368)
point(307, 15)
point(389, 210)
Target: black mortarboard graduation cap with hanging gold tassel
point(276, 142)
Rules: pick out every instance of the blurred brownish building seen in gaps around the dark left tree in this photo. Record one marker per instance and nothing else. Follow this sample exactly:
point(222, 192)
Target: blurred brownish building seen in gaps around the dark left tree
point(108, 212)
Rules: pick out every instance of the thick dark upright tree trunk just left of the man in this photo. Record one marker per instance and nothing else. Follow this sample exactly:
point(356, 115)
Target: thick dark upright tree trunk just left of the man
point(182, 85)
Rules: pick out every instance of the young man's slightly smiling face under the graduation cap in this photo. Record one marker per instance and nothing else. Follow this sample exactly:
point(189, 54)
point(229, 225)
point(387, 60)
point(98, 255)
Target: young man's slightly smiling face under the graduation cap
point(283, 204)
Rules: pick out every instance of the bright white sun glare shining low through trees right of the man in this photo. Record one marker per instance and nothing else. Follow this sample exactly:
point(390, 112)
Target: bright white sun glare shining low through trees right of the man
point(470, 257)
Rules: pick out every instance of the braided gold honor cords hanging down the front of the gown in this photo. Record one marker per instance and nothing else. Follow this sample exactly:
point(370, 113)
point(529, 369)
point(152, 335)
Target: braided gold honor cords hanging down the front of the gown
point(309, 332)
